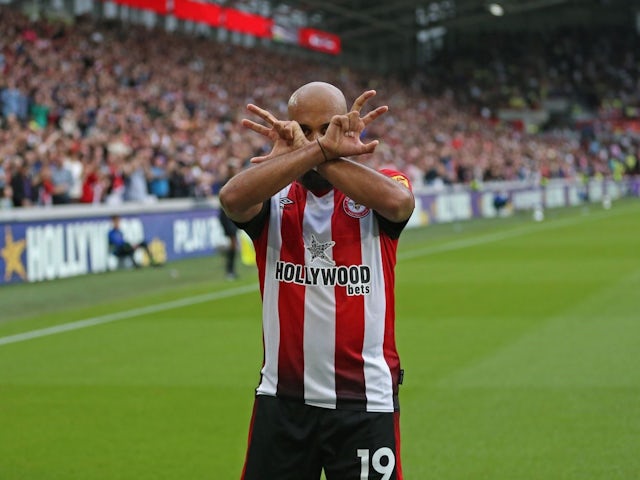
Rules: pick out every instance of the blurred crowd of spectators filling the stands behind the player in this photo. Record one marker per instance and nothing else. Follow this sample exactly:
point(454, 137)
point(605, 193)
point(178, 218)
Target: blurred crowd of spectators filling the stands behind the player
point(101, 113)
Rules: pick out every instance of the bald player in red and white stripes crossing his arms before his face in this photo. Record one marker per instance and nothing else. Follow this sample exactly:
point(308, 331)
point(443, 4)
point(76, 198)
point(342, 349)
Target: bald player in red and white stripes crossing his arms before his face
point(325, 230)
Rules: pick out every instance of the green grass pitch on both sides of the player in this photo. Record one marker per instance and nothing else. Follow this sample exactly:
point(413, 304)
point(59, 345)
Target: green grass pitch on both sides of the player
point(520, 342)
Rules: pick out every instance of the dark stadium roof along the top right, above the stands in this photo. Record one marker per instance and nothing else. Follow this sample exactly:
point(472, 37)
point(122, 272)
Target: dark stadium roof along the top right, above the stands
point(366, 25)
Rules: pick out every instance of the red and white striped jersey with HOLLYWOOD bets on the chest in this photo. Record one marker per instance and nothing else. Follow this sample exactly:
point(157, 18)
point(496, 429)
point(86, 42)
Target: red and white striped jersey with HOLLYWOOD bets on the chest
point(326, 271)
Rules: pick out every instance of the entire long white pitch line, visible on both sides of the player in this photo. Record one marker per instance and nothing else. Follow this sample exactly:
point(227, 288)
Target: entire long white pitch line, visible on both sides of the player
point(455, 245)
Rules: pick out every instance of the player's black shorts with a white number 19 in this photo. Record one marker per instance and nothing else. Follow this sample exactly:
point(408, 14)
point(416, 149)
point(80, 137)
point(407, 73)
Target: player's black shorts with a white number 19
point(289, 440)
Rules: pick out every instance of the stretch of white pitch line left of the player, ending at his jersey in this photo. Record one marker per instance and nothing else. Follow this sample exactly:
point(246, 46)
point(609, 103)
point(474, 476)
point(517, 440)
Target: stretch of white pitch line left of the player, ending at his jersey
point(113, 317)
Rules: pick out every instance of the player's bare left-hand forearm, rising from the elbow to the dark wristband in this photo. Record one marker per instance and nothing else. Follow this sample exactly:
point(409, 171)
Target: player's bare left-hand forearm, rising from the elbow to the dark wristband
point(243, 195)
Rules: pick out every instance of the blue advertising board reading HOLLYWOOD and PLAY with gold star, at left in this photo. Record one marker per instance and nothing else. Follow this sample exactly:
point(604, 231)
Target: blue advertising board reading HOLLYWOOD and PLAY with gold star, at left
point(34, 251)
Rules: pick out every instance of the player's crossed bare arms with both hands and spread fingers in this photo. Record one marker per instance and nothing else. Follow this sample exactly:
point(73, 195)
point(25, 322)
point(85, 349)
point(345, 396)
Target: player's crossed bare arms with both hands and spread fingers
point(293, 155)
